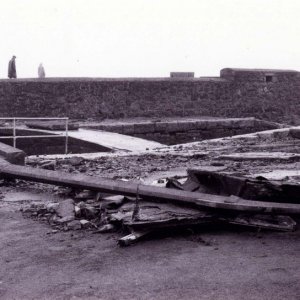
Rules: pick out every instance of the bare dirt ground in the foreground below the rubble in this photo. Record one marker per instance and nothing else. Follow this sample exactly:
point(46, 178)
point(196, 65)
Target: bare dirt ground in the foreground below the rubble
point(214, 263)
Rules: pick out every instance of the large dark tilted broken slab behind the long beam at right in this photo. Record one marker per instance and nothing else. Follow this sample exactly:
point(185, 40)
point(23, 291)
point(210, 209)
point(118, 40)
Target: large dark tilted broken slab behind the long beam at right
point(244, 186)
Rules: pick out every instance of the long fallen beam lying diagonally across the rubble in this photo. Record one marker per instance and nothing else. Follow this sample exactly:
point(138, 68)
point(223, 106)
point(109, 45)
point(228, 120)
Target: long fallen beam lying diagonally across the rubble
point(147, 192)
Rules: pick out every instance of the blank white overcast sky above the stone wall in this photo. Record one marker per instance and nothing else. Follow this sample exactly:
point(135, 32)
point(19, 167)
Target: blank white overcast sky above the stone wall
point(147, 38)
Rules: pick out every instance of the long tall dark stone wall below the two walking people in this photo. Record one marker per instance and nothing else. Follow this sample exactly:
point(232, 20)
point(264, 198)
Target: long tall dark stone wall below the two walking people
point(265, 94)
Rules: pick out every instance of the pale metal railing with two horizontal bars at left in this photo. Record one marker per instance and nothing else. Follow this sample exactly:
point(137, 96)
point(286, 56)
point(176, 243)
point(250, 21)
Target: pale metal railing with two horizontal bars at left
point(15, 136)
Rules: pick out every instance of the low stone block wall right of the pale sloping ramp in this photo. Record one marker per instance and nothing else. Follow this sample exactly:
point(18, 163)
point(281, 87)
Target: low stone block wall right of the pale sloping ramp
point(184, 131)
